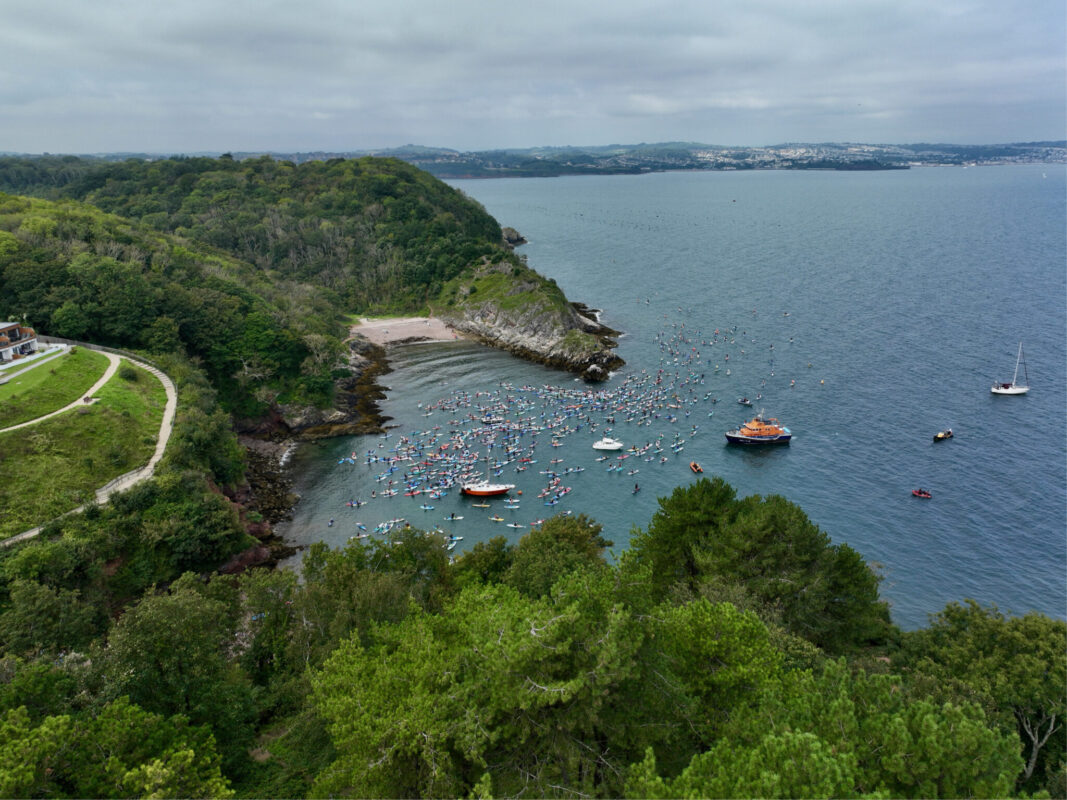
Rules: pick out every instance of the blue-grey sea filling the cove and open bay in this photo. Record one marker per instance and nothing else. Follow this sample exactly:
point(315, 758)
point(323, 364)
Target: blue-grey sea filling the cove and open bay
point(866, 311)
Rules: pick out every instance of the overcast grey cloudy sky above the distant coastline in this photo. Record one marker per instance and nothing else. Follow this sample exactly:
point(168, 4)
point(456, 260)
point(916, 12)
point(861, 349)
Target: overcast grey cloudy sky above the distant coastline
point(202, 76)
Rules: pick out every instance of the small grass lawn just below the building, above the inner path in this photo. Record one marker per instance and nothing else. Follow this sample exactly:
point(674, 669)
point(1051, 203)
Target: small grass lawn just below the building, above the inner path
point(51, 386)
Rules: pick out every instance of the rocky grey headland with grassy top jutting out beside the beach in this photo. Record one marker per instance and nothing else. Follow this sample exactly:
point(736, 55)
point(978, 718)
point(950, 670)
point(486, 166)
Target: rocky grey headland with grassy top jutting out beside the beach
point(512, 308)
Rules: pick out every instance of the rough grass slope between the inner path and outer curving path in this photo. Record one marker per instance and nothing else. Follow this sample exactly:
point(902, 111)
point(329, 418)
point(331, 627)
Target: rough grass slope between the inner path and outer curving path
point(57, 466)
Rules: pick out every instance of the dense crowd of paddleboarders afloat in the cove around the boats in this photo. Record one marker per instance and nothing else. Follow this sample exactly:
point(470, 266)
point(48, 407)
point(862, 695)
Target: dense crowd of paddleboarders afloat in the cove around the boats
point(484, 440)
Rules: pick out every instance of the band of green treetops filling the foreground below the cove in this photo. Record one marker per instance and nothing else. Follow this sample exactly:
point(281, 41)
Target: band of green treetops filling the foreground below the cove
point(530, 669)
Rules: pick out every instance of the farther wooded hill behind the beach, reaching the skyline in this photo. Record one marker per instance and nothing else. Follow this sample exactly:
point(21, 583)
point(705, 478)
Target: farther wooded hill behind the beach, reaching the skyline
point(377, 232)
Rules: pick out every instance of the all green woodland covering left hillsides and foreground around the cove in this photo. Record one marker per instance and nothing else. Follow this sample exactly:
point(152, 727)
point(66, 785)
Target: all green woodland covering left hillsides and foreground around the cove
point(735, 651)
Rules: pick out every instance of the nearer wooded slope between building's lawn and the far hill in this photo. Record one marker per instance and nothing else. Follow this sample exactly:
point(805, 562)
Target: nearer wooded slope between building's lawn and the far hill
point(76, 273)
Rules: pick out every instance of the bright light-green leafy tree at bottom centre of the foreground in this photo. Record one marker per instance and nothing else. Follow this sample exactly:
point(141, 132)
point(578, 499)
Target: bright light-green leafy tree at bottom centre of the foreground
point(500, 684)
